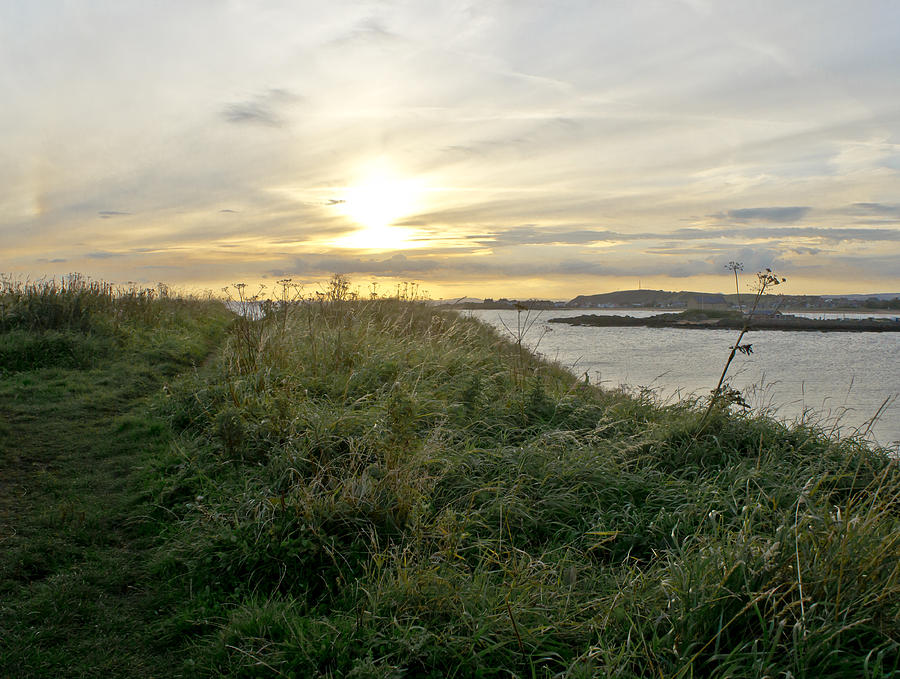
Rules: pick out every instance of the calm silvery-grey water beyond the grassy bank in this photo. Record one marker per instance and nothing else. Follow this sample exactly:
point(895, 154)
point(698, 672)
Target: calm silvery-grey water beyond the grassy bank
point(839, 379)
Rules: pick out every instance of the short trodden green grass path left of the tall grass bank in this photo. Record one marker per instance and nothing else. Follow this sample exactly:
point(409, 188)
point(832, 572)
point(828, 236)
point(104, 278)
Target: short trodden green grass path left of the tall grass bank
point(77, 598)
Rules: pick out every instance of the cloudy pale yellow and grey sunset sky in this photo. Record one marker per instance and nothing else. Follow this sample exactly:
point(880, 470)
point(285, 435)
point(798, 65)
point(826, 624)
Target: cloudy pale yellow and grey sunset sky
point(502, 148)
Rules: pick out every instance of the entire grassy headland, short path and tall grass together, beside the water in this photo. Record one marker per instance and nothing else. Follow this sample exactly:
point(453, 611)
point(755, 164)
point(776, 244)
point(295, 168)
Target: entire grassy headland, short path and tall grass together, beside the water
point(347, 488)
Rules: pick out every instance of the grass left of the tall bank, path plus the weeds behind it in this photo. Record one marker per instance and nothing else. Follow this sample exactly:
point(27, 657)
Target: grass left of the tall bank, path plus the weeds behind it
point(76, 596)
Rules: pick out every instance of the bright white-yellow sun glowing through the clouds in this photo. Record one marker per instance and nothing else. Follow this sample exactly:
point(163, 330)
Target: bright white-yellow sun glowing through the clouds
point(376, 201)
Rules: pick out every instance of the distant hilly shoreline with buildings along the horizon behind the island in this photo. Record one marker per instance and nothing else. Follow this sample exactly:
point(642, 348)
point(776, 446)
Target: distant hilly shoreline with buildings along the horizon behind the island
point(662, 299)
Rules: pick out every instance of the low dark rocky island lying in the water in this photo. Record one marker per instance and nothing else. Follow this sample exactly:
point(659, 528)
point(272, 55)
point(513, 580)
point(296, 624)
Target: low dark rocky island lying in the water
point(735, 320)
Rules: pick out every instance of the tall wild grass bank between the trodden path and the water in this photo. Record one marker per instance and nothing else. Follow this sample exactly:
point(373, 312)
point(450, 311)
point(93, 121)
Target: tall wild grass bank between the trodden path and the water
point(375, 488)
